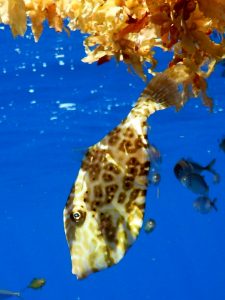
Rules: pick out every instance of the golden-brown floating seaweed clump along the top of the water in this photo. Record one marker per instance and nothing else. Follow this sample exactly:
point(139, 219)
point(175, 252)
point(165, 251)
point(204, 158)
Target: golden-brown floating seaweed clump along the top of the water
point(130, 29)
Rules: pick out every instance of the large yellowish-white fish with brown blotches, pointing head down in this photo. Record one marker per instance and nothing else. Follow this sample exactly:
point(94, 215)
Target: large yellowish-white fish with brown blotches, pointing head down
point(104, 211)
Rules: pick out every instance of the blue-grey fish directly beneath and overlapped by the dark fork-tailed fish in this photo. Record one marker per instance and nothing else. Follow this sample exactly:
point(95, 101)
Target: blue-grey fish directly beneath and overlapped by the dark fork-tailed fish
point(195, 183)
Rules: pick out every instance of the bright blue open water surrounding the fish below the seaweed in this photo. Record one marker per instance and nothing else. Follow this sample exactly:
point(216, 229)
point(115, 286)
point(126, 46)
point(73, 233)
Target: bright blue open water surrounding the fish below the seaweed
point(42, 142)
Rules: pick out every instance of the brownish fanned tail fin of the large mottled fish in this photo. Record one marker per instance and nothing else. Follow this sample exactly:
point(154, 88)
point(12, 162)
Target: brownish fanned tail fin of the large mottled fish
point(163, 90)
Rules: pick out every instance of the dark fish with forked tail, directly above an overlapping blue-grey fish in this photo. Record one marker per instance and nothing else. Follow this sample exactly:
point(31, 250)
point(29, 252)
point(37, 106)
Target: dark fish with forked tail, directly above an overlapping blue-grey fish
point(184, 167)
